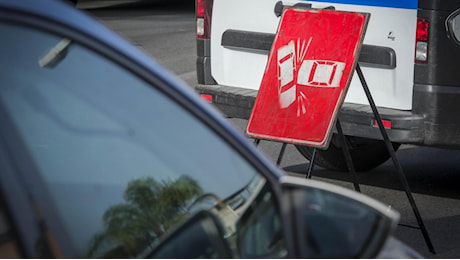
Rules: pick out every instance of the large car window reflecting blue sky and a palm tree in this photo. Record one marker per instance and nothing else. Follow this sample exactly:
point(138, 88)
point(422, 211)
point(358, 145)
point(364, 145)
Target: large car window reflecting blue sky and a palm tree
point(120, 161)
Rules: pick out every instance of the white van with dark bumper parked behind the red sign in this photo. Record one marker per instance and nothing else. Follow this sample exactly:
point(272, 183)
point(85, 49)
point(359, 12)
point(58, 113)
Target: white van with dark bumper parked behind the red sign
point(409, 57)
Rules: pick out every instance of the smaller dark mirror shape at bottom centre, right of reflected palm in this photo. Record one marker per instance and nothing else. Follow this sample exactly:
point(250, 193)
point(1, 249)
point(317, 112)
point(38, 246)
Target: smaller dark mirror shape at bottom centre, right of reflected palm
point(201, 236)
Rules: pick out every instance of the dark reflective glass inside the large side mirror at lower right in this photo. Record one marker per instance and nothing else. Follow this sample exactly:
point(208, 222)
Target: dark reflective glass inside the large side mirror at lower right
point(336, 226)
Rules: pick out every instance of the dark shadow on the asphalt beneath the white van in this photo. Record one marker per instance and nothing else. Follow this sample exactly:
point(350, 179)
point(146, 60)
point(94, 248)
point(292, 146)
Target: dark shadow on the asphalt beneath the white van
point(429, 171)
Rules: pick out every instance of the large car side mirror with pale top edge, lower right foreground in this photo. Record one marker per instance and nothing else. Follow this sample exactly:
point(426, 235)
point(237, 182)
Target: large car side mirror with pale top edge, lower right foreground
point(334, 222)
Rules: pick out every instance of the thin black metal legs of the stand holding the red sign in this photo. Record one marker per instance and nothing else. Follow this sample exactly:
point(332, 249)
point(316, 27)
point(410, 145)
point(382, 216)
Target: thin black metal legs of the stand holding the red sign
point(351, 169)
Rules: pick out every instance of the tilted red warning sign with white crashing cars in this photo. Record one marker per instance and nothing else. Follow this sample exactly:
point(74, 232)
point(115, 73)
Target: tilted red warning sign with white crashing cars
point(307, 76)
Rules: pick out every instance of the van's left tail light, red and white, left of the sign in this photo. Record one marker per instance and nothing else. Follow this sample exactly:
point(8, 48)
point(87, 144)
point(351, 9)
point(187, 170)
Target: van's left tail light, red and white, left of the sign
point(203, 18)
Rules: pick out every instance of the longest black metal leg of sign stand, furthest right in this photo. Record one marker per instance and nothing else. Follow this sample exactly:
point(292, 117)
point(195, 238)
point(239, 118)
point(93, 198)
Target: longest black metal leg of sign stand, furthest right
point(400, 172)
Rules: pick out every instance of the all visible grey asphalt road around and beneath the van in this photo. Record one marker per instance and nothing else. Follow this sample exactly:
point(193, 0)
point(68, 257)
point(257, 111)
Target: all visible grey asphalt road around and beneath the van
point(165, 31)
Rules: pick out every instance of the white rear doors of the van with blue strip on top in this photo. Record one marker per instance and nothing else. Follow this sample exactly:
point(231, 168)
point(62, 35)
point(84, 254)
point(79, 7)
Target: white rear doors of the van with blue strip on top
point(387, 57)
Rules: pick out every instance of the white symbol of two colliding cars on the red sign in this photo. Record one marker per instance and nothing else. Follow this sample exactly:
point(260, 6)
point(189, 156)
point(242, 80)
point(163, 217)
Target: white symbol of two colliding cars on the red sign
point(312, 73)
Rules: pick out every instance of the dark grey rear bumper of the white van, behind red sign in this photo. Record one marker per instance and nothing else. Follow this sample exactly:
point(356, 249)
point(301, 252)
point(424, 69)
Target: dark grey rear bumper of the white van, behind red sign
point(356, 119)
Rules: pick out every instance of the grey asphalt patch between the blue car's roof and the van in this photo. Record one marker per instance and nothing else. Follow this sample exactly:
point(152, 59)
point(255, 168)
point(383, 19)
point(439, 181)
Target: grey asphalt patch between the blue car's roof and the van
point(164, 29)
